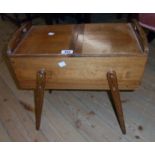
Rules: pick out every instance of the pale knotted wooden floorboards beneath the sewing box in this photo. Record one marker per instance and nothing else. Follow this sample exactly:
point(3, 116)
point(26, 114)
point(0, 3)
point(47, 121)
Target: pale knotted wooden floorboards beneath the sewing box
point(138, 105)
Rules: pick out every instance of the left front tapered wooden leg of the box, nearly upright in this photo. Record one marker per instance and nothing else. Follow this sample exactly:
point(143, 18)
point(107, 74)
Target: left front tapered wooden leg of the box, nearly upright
point(39, 95)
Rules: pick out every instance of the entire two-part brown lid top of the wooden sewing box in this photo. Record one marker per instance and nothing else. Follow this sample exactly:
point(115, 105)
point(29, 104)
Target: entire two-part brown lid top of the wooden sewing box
point(83, 39)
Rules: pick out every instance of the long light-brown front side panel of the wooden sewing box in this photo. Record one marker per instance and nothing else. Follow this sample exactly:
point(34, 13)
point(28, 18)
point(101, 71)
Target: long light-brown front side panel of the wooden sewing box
point(79, 72)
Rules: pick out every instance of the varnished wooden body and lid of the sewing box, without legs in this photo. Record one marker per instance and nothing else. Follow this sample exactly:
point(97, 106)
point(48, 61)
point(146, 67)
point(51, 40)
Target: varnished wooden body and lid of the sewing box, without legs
point(98, 48)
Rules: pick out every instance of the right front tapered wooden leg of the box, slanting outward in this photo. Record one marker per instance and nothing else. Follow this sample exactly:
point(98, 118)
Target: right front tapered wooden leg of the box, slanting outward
point(113, 85)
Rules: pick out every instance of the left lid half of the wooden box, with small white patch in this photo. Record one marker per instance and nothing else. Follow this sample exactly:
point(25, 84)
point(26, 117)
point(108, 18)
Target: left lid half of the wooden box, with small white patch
point(38, 41)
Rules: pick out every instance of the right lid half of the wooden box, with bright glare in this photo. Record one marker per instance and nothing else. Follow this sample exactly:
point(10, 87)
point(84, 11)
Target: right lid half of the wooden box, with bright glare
point(105, 39)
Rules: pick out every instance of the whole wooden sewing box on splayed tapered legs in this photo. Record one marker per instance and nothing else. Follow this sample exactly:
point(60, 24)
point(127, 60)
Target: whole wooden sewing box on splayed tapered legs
point(102, 56)
